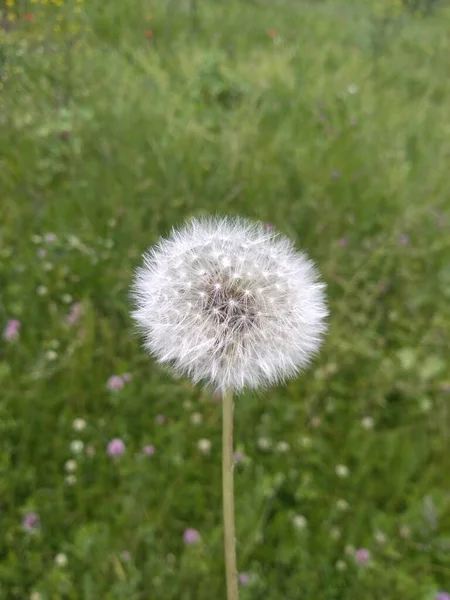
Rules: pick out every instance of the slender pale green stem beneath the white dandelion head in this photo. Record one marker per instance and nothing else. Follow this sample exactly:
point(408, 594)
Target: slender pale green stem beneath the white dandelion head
point(228, 497)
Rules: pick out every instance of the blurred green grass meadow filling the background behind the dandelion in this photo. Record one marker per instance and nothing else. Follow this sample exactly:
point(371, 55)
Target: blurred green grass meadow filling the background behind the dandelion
point(328, 119)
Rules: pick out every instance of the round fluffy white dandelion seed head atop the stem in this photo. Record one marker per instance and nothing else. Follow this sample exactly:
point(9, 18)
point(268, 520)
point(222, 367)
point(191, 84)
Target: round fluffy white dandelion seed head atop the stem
point(230, 303)
